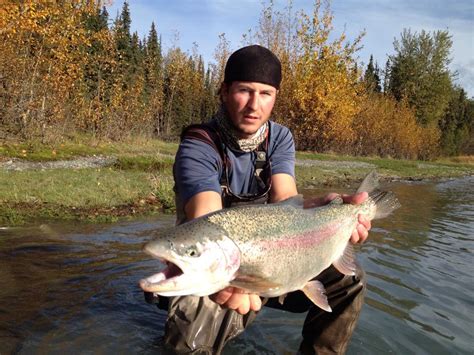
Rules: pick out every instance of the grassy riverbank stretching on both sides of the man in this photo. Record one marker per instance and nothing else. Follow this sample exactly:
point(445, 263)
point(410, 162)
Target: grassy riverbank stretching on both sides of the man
point(140, 181)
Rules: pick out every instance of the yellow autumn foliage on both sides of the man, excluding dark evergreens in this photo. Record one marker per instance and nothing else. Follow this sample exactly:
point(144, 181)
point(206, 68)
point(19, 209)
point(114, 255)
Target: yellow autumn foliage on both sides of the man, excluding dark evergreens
point(56, 75)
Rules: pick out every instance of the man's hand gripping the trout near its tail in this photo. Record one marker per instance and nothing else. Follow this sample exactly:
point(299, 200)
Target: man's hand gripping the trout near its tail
point(360, 233)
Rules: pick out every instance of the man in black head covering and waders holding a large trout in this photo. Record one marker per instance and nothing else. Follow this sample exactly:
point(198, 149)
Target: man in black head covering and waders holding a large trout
point(241, 156)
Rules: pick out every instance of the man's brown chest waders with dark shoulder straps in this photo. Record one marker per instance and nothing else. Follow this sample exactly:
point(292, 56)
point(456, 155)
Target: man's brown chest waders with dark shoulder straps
point(197, 325)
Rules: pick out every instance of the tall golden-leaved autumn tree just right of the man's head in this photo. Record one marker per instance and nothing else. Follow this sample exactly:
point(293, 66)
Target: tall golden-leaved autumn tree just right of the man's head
point(325, 97)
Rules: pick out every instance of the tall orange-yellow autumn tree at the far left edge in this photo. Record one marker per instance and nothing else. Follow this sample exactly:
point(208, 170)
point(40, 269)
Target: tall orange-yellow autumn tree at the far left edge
point(41, 66)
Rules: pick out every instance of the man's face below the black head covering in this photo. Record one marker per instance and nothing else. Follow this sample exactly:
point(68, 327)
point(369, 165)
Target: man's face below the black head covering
point(249, 105)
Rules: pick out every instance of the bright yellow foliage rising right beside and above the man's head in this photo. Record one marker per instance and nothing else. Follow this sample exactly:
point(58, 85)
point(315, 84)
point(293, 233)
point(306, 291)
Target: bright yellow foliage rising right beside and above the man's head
point(320, 93)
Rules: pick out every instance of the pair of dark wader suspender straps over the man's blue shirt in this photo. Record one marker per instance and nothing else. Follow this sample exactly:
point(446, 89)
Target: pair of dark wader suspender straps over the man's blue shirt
point(207, 134)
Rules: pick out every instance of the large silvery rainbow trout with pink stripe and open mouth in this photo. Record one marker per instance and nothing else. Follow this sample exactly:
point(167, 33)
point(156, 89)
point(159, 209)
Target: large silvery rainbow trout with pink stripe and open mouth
point(268, 249)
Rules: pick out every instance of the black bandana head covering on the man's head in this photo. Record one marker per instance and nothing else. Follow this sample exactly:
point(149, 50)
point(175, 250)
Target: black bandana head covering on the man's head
point(253, 63)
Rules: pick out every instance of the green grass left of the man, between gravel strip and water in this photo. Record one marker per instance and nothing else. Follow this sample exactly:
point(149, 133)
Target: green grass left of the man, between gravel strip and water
point(99, 195)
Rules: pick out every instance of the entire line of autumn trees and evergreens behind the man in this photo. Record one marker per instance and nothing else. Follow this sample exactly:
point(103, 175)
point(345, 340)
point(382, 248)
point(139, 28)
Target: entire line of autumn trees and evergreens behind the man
point(64, 70)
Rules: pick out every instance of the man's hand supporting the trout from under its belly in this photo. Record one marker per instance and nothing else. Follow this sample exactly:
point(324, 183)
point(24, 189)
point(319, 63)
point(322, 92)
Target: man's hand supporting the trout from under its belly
point(237, 299)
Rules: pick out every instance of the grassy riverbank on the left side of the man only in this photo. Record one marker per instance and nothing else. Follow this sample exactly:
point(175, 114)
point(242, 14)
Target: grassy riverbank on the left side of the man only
point(138, 182)
